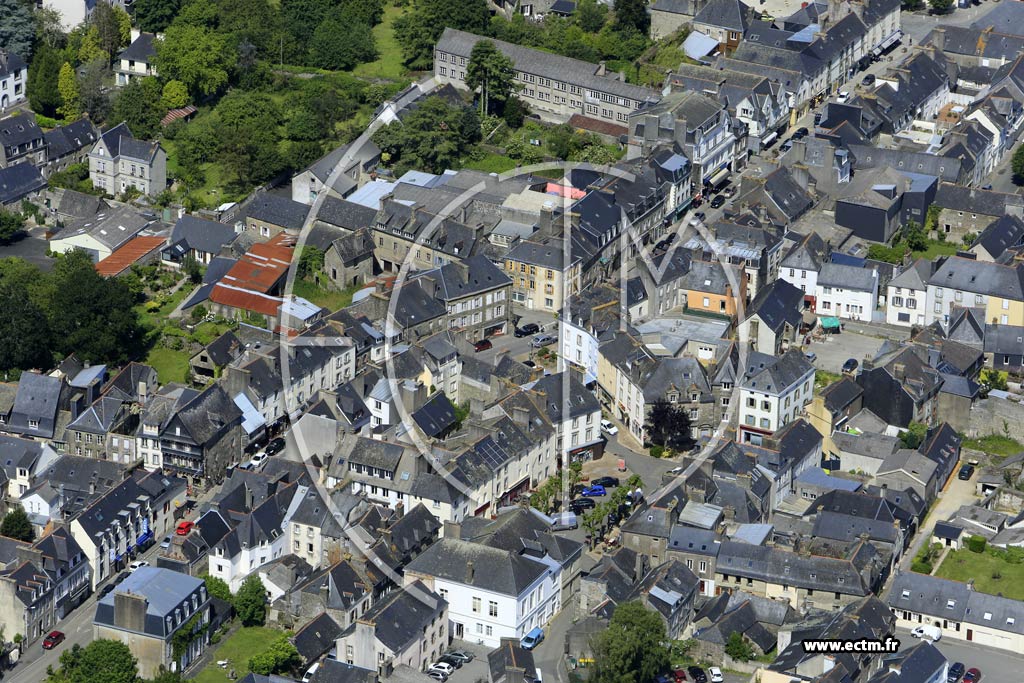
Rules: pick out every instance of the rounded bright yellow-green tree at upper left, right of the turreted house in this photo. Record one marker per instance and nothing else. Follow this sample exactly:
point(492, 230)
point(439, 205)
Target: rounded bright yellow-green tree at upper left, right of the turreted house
point(197, 57)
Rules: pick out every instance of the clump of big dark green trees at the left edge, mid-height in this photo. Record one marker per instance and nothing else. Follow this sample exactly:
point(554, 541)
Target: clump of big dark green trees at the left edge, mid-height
point(69, 311)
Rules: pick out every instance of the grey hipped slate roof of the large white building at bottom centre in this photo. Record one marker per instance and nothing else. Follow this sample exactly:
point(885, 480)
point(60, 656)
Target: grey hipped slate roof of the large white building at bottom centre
point(494, 570)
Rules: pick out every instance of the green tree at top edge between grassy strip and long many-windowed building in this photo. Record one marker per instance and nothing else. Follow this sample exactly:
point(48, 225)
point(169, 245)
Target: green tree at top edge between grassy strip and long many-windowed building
point(419, 29)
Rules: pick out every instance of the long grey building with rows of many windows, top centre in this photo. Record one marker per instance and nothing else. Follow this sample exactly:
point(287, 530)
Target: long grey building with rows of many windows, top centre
point(556, 88)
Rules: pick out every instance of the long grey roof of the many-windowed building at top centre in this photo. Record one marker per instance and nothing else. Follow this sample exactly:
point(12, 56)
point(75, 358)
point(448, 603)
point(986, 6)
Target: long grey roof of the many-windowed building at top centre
point(546, 65)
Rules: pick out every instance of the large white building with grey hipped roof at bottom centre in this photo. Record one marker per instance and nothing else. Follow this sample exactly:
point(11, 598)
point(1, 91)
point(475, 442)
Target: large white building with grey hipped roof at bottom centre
point(492, 593)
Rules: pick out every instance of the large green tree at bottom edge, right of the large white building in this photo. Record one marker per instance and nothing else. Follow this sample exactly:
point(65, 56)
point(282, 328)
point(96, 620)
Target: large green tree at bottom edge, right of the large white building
point(631, 650)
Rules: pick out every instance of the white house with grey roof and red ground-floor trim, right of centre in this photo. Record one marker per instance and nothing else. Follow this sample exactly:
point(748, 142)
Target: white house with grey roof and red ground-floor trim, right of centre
point(773, 393)
